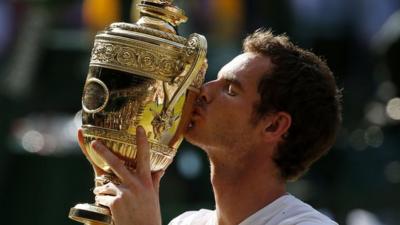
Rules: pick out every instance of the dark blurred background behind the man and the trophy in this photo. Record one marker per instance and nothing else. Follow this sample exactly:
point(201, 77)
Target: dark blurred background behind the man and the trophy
point(44, 55)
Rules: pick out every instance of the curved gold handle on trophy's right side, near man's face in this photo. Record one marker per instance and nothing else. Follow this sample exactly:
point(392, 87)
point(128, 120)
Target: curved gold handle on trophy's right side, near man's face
point(194, 54)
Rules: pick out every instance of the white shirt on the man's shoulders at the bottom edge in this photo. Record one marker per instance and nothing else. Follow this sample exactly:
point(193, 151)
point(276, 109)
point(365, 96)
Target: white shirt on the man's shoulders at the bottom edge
point(286, 210)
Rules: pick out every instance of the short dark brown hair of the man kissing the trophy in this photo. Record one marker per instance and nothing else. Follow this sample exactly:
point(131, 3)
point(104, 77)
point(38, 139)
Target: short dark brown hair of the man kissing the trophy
point(302, 85)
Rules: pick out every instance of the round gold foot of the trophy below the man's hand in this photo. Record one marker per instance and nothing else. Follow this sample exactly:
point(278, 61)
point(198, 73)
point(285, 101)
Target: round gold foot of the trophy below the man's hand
point(91, 214)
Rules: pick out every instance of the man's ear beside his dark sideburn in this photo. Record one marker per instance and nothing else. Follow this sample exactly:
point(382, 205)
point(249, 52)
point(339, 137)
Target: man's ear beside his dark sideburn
point(276, 126)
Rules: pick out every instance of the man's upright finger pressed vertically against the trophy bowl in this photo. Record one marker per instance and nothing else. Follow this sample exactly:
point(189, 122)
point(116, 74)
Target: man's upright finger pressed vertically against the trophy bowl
point(143, 153)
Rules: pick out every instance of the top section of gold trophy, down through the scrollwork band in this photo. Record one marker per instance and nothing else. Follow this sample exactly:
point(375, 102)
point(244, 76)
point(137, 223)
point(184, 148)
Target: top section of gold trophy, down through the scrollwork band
point(151, 47)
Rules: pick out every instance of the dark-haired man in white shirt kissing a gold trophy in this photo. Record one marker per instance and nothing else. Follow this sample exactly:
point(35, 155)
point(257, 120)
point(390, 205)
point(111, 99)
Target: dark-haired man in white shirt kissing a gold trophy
point(271, 113)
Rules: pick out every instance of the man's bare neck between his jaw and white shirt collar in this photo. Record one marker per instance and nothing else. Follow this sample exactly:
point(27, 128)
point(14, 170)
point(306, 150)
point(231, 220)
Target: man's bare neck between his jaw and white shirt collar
point(241, 189)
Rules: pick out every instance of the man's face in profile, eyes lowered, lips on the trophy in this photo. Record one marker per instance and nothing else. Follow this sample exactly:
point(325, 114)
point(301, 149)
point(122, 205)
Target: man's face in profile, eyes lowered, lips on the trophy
point(223, 113)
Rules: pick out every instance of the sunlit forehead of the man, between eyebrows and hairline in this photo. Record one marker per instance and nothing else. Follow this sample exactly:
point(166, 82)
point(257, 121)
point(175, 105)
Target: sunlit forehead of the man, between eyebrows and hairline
point(246, 66)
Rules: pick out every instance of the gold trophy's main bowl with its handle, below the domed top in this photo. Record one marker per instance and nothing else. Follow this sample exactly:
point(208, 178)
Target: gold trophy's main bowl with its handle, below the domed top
point(146, 85)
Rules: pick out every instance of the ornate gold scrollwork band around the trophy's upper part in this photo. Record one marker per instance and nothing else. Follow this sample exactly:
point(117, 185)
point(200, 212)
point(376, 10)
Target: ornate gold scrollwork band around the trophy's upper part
point(134, 56)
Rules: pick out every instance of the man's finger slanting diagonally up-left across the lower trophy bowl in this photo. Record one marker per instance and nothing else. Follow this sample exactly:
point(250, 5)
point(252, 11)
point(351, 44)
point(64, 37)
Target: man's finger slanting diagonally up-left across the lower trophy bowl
point(116, 164)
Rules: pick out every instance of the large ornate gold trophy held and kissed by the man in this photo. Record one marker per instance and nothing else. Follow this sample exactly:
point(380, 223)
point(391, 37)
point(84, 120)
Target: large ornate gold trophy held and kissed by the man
point(139, 74)
